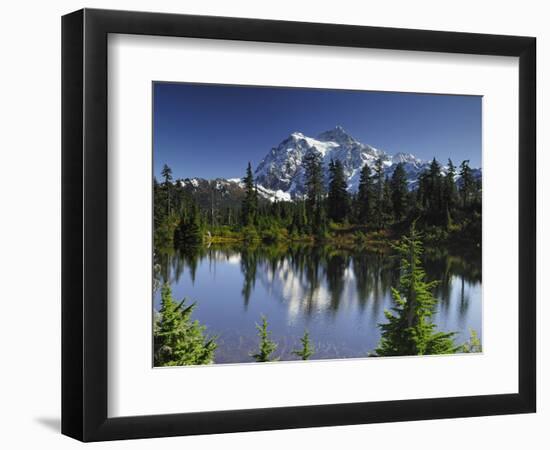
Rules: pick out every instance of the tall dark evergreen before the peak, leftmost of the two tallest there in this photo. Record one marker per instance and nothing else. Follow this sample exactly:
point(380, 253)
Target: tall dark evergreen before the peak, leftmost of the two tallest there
point(315, 193)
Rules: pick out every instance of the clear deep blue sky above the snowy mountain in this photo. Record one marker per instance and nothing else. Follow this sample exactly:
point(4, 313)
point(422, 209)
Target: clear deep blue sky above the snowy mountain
point(213, 131)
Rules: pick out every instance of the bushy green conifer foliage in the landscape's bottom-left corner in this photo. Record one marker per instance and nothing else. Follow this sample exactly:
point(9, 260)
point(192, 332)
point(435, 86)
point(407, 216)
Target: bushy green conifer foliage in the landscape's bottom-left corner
point(178, 340)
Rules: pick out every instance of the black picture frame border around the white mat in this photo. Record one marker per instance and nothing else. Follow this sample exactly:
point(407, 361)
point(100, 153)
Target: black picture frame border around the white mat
point(84, 224)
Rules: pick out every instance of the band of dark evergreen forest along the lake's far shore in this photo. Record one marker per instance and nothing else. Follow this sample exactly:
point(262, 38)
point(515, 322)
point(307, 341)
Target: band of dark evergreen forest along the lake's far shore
point(439, 205)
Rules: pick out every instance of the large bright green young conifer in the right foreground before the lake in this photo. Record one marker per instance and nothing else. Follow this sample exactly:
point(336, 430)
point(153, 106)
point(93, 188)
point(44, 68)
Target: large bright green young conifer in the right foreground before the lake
point(409, 329)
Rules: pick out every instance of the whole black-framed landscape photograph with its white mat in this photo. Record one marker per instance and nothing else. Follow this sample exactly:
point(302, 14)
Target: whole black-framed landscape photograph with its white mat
point(274, 224)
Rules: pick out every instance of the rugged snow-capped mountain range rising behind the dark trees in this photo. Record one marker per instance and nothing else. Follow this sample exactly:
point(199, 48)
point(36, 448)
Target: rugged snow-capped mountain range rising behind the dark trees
point(281, 174)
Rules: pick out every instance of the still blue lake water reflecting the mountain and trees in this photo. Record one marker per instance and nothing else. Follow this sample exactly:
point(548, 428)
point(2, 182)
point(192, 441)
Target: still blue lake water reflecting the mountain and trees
point(338, 295)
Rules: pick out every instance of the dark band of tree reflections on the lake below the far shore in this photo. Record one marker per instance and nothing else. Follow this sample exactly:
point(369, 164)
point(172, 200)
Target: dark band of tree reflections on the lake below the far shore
point(312, 267)
